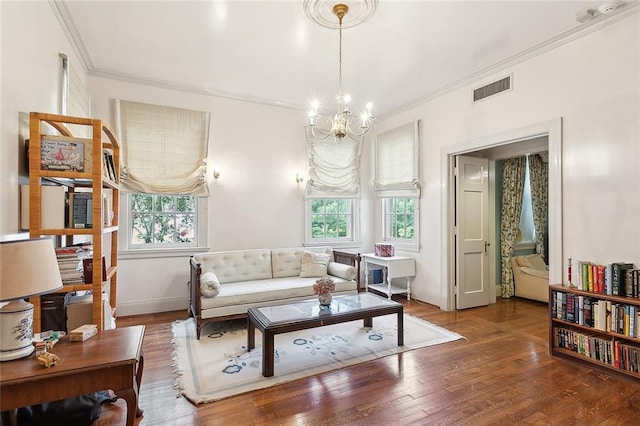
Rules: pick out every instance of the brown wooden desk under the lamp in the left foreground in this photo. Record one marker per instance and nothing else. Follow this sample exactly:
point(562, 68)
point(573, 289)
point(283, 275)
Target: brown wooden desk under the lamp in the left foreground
point(110, 360)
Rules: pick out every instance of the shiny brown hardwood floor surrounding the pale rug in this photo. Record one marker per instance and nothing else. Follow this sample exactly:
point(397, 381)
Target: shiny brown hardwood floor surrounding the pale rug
point(501, 374)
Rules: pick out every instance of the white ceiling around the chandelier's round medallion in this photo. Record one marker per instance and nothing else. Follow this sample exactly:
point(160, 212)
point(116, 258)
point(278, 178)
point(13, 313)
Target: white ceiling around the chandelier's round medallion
point(269, 51)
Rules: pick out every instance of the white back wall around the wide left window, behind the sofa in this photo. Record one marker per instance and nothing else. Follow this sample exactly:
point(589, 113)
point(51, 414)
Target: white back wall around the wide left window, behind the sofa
point(255, 203)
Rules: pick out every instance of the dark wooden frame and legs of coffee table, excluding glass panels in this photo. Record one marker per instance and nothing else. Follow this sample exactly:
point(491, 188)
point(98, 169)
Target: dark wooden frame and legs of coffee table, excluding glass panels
point(256, 319)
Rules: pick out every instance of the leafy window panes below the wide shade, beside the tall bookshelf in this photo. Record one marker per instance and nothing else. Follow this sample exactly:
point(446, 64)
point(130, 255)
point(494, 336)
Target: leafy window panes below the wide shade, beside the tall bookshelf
point(163, 220)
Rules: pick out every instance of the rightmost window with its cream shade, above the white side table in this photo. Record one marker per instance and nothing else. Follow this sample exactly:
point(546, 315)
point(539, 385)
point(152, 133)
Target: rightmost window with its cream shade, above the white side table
point(397, 185)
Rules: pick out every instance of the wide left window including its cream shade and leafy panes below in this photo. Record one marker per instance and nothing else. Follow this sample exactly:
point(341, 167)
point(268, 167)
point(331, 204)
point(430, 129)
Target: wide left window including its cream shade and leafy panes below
point(164, 152)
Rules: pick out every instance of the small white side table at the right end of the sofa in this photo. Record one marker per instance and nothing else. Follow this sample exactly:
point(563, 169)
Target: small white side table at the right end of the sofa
point(393, 267)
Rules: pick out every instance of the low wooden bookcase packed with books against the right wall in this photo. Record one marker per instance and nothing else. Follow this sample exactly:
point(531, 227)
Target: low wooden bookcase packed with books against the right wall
point(580, 336)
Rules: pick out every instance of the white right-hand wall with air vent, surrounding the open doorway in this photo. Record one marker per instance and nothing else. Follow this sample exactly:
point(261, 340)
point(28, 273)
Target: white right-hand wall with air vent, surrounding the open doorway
point(593, 84)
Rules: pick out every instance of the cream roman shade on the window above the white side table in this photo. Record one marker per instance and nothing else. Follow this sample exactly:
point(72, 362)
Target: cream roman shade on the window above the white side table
point(396, 162)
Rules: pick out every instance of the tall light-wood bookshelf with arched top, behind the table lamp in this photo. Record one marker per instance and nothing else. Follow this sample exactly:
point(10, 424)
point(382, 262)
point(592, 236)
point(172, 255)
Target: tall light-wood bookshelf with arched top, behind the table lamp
point(90, 173)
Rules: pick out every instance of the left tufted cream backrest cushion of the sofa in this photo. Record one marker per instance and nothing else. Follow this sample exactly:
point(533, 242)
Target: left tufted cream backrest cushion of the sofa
point(240, 265)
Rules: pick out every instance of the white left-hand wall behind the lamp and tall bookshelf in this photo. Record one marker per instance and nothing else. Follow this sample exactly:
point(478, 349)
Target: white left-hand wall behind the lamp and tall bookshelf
point(31, 40)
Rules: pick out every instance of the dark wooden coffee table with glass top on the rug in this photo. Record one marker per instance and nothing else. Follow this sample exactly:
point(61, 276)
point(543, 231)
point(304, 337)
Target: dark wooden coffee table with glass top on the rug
point(272, 320)
